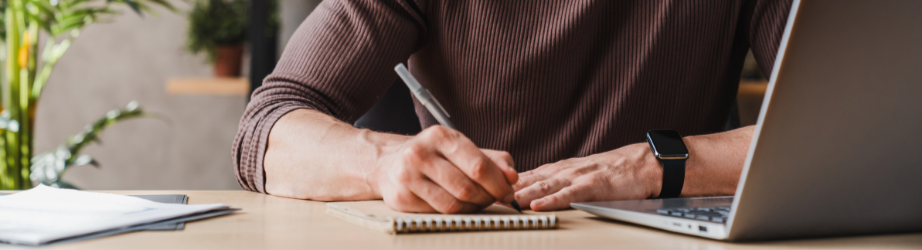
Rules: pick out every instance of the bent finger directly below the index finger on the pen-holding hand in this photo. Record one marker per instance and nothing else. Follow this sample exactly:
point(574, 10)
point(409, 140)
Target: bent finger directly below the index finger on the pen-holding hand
point(450, 178)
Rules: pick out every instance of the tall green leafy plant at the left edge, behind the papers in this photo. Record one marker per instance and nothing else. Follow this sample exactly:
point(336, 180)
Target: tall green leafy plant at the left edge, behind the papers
point(27, 67)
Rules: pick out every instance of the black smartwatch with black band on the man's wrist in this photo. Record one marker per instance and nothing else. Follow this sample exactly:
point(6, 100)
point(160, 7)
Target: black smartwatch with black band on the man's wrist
point(670, 150)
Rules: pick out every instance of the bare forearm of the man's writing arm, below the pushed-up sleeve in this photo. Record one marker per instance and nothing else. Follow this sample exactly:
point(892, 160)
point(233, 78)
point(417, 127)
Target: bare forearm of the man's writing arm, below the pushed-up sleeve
point(311, 155)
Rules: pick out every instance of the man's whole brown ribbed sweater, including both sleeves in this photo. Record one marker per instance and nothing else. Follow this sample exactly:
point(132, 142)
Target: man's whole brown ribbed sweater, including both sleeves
point(545, 80)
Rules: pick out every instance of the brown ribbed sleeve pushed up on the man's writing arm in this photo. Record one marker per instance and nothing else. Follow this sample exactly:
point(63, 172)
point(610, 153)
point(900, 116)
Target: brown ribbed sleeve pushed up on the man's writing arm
point(338, 62)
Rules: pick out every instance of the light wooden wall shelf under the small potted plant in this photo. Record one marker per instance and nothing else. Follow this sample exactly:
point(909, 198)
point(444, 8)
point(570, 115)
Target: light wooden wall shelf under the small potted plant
point(208, 86)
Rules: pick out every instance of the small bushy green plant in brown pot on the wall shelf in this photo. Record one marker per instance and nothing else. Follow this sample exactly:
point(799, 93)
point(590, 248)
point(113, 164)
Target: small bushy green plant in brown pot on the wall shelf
point(218, 28)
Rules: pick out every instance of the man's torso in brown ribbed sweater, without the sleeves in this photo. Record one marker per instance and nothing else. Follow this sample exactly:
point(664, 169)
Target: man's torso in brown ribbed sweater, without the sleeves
point(552, 80)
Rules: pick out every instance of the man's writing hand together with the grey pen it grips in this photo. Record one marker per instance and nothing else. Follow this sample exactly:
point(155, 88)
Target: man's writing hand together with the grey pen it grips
point(464, 172)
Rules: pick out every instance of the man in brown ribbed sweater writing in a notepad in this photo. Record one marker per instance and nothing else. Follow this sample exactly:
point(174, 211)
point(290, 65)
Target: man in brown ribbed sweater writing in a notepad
point(551, 100)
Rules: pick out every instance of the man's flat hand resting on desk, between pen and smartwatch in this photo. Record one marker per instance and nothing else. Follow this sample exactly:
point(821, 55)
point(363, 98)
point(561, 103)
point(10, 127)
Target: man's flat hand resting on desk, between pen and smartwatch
point(627, 173)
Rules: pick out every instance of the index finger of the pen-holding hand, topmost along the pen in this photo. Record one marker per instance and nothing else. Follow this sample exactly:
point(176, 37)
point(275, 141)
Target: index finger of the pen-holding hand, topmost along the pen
point(461, 152)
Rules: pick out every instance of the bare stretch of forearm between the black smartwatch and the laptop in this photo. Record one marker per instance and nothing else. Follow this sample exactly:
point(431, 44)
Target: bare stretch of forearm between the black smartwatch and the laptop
point(715, 162)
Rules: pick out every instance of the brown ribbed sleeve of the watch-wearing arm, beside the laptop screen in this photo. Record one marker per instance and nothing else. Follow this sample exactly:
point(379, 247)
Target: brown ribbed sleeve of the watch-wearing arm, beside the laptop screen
point(766, 28)
